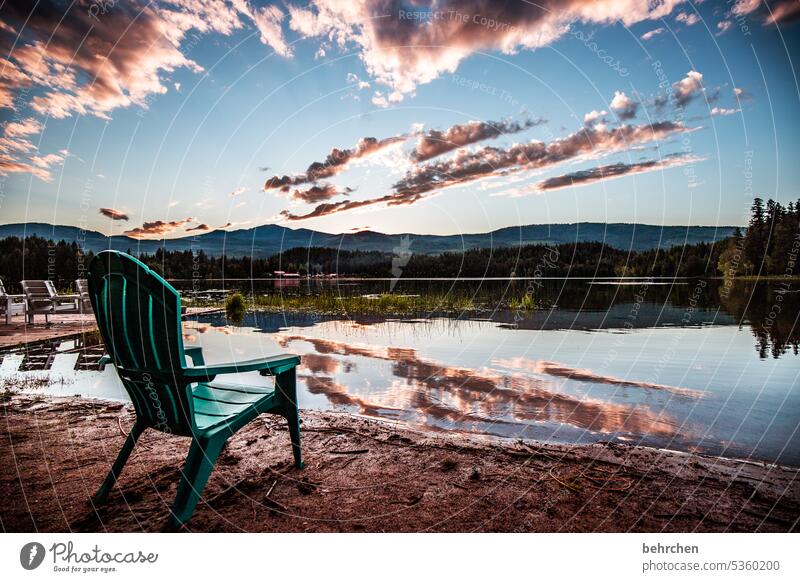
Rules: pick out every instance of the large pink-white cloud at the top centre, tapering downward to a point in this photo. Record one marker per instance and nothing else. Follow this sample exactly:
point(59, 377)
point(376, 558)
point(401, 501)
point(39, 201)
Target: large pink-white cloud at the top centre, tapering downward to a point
point(403, 46)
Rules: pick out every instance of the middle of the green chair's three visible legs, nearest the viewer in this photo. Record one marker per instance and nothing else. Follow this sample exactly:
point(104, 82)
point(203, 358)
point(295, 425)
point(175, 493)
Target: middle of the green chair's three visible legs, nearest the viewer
point(198, 467)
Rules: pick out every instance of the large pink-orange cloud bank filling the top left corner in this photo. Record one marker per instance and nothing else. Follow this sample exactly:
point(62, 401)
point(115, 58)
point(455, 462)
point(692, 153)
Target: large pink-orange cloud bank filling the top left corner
point(124, 52)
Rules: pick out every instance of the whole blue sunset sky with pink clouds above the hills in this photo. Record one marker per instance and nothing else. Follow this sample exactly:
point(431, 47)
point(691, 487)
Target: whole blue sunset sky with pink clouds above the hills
point(172, 118)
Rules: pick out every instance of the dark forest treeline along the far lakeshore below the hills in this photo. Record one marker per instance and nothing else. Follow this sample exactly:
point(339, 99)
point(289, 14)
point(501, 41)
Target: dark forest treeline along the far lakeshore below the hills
point(768, 246)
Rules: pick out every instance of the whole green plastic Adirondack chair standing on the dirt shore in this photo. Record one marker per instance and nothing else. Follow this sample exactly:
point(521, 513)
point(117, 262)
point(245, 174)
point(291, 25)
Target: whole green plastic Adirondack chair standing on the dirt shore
point(139, 316)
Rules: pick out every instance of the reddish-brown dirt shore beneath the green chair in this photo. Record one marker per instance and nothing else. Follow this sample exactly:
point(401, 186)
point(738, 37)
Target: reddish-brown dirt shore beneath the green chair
point(369, 475)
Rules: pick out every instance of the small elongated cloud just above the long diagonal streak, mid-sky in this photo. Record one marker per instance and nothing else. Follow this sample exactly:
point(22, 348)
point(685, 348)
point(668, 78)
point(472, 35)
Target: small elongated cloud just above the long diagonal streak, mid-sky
point(435, 143)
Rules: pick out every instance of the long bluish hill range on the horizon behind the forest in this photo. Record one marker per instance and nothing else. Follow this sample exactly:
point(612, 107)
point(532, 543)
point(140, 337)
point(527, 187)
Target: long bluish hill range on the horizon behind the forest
point(267, 240)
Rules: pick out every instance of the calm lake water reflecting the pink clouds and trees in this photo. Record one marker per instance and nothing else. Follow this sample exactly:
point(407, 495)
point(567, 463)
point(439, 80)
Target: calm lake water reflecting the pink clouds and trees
point(687, 365)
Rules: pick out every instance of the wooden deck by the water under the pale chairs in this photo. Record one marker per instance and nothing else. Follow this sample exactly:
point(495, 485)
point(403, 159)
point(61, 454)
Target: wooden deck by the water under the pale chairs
point(20, 333)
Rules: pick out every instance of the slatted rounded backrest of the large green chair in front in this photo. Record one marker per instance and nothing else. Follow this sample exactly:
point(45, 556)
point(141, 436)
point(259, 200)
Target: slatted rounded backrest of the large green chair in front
point(138, 314)
